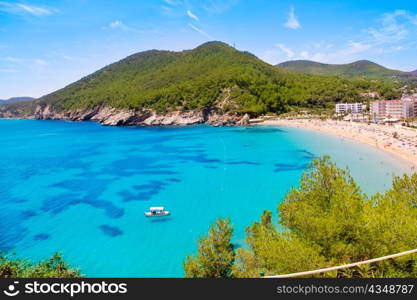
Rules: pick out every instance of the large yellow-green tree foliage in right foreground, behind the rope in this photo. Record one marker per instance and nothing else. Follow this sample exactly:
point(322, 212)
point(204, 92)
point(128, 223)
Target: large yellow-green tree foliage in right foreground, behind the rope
point(329, 221)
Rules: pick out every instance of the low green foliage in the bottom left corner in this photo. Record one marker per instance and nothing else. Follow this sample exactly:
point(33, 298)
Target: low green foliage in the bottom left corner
point(53, 267)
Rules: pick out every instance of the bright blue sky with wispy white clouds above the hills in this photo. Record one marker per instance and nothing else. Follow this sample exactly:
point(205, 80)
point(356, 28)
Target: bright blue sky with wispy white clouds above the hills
point(45, 45)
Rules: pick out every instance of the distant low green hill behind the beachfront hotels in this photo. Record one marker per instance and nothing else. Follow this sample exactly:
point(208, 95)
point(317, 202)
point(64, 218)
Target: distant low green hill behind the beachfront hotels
point(362, 68)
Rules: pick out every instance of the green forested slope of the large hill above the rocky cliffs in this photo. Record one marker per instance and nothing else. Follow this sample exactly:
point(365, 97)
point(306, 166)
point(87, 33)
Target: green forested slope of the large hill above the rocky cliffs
point(213, 75)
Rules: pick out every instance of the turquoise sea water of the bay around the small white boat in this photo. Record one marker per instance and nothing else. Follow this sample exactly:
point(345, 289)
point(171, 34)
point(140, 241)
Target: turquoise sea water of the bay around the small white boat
point(81, 189)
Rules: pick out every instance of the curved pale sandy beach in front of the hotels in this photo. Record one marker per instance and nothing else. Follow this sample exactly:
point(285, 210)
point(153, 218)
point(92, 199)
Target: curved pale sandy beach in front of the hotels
point(397, 140)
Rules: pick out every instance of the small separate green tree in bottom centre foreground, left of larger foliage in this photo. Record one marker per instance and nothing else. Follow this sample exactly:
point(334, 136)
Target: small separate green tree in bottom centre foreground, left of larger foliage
point(215, 253)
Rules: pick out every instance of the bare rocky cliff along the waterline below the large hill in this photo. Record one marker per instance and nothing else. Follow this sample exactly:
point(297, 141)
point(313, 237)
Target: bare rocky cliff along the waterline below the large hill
point(115, 117)
